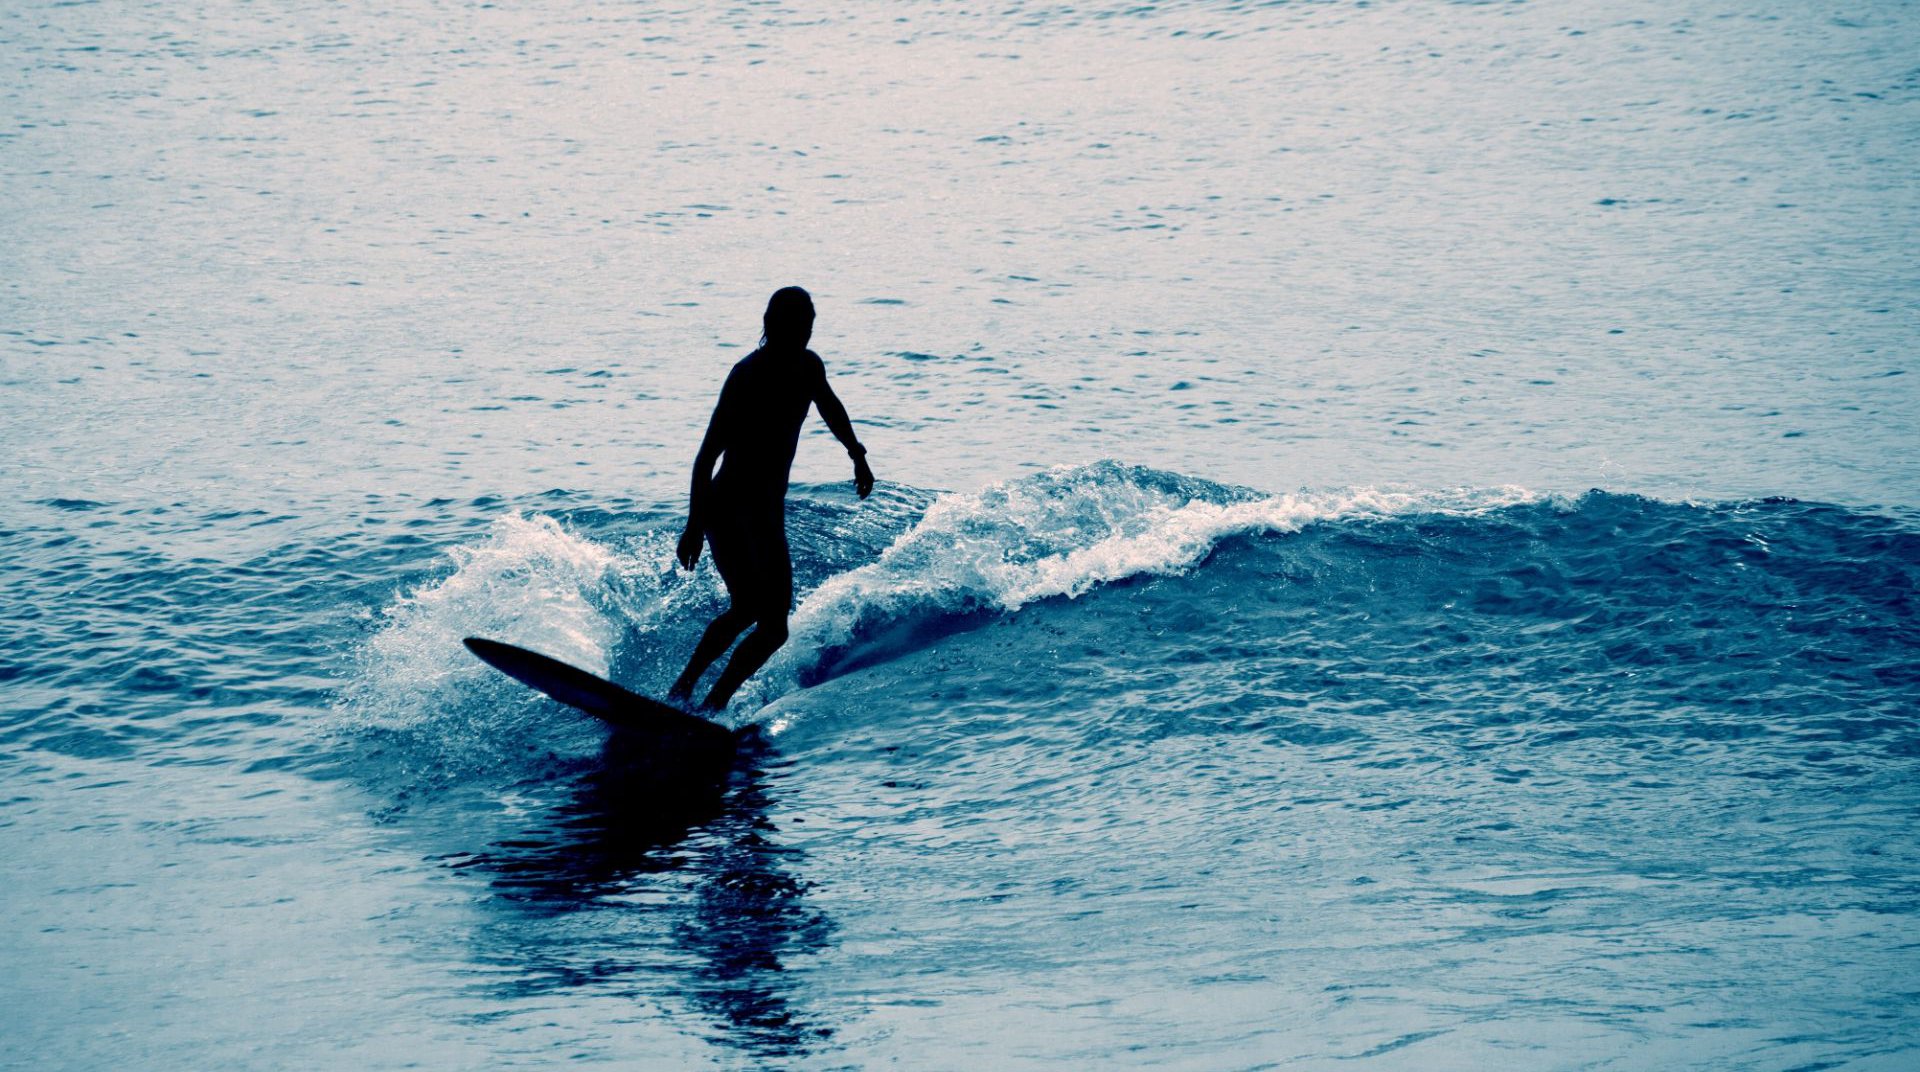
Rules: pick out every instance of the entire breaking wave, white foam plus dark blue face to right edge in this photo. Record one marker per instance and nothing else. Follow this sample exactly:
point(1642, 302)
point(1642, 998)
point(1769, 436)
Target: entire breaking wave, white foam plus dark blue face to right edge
point(1491, 608)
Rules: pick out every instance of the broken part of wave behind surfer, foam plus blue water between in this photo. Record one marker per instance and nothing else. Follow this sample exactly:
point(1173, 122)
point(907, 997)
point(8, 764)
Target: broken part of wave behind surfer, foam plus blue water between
point(934, 566)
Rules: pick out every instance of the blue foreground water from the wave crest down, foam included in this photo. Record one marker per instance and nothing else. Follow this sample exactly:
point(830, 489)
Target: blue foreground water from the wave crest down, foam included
point(1141, 767)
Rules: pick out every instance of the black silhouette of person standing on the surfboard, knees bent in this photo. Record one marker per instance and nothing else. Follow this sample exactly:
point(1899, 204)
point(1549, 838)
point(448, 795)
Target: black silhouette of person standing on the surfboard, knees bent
point(742, 512)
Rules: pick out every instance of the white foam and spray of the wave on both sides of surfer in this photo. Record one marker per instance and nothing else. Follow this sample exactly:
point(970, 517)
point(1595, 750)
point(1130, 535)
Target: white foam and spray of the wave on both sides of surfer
point(1061, 533)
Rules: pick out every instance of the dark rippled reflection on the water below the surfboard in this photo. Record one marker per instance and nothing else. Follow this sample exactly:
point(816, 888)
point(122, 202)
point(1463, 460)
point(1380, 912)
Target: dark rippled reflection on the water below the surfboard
point(661, 885)
